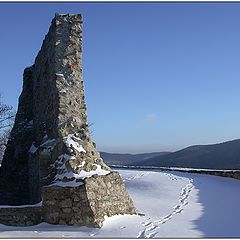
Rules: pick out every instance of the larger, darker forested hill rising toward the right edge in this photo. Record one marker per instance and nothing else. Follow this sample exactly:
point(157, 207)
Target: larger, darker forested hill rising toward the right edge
point(215, 156)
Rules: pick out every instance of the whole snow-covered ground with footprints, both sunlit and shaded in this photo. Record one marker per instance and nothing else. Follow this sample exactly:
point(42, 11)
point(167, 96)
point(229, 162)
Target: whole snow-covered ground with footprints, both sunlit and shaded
point(175, 205)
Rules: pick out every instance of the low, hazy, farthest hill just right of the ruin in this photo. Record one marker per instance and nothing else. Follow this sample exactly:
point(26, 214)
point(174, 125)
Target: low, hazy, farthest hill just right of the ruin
point(128, 159)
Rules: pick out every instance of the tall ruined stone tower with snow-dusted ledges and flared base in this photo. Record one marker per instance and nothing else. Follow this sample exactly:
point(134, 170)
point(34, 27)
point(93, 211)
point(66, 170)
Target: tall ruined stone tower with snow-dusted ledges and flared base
point(50, 156)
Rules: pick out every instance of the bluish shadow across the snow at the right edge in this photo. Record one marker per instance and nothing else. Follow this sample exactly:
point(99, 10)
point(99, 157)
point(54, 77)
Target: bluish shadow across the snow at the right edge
point(219, 197)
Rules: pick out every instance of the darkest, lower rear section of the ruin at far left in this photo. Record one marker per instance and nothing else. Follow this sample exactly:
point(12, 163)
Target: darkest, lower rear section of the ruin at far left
point(14, 170)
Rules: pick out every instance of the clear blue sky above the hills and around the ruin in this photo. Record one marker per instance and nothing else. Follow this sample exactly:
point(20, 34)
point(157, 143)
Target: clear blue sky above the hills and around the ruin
point(158, 76)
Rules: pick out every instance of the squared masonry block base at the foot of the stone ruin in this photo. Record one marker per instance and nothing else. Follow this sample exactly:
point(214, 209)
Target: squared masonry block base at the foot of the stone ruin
point(87, 204)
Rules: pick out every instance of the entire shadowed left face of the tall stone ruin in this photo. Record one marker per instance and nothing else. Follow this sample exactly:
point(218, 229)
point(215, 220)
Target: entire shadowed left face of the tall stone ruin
point(36, 115)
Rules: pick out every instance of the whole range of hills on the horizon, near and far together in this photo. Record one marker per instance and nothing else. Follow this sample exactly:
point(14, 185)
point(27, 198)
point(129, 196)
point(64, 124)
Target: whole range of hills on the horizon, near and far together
point(215, 156)
